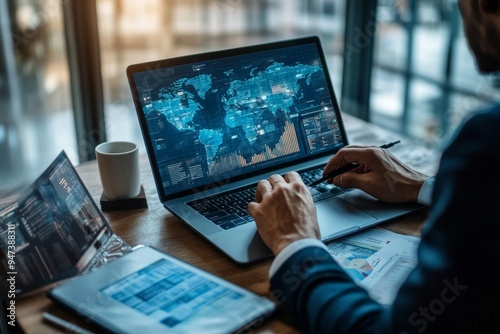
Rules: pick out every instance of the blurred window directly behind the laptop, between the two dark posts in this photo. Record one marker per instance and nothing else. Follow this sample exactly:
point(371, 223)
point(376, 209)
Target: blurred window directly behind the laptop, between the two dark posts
point(137, 31)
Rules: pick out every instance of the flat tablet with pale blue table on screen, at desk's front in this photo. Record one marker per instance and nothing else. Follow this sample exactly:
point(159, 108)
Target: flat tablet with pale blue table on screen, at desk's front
point(148, 290)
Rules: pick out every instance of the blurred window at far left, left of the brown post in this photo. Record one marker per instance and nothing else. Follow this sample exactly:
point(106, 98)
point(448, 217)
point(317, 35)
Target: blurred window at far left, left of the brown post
point(36, 119)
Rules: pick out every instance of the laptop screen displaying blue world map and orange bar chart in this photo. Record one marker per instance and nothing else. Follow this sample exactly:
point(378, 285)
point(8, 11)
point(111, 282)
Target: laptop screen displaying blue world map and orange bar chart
point(227, 114)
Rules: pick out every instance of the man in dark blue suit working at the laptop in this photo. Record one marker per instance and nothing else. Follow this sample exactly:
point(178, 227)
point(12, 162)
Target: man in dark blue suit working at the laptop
point(453, 288)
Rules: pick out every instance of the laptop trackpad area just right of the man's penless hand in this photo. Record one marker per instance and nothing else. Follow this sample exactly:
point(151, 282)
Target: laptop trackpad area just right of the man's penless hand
point(337, 218)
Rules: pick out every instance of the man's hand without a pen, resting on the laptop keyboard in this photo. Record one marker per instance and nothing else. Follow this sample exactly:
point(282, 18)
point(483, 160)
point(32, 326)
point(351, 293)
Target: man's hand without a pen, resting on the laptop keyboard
point(284, 211)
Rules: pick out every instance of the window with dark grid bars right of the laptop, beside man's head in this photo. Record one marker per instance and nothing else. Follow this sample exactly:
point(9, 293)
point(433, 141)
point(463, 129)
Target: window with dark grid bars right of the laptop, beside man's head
point(424, 79)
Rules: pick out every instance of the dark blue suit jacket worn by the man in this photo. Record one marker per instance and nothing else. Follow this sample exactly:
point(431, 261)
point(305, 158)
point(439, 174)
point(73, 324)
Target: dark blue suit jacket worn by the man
point(453, 289)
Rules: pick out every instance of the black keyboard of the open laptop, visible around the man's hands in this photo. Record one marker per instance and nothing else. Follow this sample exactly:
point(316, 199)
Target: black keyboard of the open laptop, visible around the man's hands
point(230, 210)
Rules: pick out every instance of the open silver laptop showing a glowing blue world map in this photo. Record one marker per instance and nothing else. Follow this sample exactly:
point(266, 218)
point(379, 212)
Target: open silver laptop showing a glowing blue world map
point(216, 123)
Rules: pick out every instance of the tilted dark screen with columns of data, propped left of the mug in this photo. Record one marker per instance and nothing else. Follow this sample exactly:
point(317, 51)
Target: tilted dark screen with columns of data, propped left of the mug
point(48, 231)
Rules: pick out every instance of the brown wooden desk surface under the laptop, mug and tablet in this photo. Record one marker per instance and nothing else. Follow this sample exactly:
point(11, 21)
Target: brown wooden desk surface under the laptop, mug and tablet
point(156, 227)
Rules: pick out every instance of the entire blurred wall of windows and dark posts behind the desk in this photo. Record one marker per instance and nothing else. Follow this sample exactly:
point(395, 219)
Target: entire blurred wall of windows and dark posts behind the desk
point(401, 64)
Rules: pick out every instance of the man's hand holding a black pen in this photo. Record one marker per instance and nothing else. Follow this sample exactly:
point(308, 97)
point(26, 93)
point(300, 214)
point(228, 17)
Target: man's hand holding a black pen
point(380, 174)
